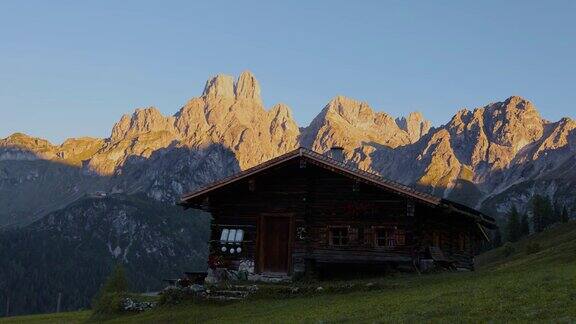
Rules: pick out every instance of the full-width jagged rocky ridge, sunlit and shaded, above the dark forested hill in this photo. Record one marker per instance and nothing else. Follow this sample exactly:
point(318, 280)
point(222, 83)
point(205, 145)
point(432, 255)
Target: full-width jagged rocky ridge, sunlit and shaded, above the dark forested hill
point(474, 157)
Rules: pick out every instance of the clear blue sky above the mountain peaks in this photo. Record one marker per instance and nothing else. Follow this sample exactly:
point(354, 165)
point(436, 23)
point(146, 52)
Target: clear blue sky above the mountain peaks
point(72, 68)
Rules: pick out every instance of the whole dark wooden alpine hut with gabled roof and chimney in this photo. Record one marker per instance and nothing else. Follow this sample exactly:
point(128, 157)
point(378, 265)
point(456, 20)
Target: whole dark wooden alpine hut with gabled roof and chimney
point(302, 210)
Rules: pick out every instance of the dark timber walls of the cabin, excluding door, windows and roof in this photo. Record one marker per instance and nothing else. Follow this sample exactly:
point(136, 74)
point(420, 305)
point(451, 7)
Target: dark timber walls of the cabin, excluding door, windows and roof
point(318, 200)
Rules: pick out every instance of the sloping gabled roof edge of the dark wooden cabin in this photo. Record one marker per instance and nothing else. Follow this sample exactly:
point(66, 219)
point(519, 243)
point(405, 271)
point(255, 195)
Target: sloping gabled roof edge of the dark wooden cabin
point(347, 169)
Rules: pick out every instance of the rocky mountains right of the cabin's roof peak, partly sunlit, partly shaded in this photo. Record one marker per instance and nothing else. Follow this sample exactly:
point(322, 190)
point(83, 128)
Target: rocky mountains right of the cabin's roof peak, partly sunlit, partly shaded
point(476, 156)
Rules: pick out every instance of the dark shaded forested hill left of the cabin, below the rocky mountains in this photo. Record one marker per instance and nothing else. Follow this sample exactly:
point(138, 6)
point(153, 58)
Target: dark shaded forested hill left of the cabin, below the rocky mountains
point(71, 251)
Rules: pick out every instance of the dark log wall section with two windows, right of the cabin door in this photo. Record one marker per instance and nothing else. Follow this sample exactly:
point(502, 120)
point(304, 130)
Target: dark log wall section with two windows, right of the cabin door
point(336, 200)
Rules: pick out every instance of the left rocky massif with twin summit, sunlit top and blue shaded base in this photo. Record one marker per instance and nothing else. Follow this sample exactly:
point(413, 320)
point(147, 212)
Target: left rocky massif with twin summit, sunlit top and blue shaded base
point(224, 130)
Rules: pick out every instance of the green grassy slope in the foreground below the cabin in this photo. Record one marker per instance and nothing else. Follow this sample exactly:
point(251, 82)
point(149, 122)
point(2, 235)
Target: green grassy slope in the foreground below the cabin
point(535, 282)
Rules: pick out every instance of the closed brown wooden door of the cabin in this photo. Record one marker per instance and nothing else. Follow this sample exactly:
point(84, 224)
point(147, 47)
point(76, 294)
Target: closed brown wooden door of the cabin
point(275, 242)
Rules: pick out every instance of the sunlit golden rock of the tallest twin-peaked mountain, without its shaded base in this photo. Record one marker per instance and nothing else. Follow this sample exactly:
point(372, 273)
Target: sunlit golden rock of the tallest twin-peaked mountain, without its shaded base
point(229, 113)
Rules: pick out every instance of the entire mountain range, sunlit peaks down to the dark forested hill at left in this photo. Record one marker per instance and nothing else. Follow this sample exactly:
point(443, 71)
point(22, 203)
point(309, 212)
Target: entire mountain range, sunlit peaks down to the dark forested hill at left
point(99, 201)
